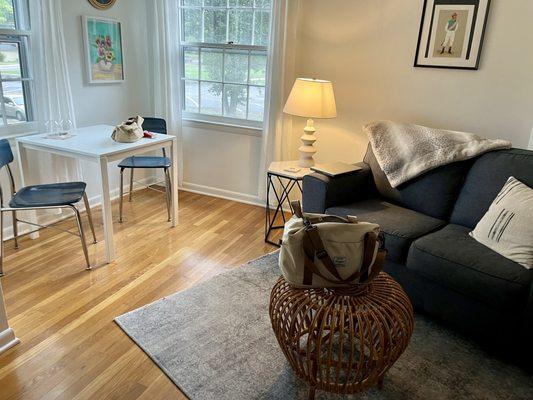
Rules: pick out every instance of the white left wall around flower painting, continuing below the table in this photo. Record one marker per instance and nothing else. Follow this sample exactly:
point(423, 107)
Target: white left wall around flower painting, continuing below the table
point(98, 104)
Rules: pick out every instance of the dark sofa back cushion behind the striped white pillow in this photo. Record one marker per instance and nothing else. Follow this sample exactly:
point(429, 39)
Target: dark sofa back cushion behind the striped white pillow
point(485, 180)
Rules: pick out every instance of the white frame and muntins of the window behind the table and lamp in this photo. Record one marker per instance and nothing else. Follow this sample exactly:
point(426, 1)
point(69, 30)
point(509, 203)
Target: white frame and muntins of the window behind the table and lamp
point(224, 47)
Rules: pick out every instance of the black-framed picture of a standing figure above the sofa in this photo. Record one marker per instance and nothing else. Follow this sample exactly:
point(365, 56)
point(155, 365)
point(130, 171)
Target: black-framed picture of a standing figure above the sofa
point(451, 33)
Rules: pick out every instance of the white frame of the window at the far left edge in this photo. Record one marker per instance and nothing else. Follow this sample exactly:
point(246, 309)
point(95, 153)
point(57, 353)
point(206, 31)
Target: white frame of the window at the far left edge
point(22, 36)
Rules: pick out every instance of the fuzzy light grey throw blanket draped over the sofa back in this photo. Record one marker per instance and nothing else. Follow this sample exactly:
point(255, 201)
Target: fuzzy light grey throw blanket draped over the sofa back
point(405, 151)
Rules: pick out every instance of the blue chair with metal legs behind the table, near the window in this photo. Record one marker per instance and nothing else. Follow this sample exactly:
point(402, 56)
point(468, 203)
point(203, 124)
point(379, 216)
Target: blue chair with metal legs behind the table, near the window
point(156, 125)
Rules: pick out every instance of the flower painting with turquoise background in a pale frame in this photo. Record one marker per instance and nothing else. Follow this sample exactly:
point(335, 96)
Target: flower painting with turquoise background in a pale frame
point(104, 52)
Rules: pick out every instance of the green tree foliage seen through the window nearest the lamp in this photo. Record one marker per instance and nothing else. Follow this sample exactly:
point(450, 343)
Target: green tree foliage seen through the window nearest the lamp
point(221, 26)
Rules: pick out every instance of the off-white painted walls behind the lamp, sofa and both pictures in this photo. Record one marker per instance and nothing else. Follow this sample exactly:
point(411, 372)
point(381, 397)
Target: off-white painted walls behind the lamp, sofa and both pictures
point(366, 47)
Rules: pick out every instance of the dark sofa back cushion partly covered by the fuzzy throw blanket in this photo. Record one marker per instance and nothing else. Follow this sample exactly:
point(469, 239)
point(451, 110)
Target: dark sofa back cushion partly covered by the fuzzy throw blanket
point(433, 193)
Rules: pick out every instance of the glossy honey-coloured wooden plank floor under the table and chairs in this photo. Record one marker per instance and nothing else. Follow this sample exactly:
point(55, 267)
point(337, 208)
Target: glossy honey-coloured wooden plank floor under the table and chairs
point(71, 348)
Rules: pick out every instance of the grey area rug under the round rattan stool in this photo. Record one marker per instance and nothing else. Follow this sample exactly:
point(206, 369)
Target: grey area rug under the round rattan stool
point(215, 342)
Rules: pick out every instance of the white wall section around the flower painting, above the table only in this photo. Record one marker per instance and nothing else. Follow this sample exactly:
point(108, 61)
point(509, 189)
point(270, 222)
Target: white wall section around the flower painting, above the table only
point(109, 103)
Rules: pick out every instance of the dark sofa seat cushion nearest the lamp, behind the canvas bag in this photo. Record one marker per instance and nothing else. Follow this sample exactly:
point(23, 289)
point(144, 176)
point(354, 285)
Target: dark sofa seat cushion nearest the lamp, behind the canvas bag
point(401, 226)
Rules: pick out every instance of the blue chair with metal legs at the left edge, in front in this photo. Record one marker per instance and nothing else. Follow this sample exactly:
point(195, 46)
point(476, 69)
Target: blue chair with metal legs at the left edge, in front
point(40, 197)
